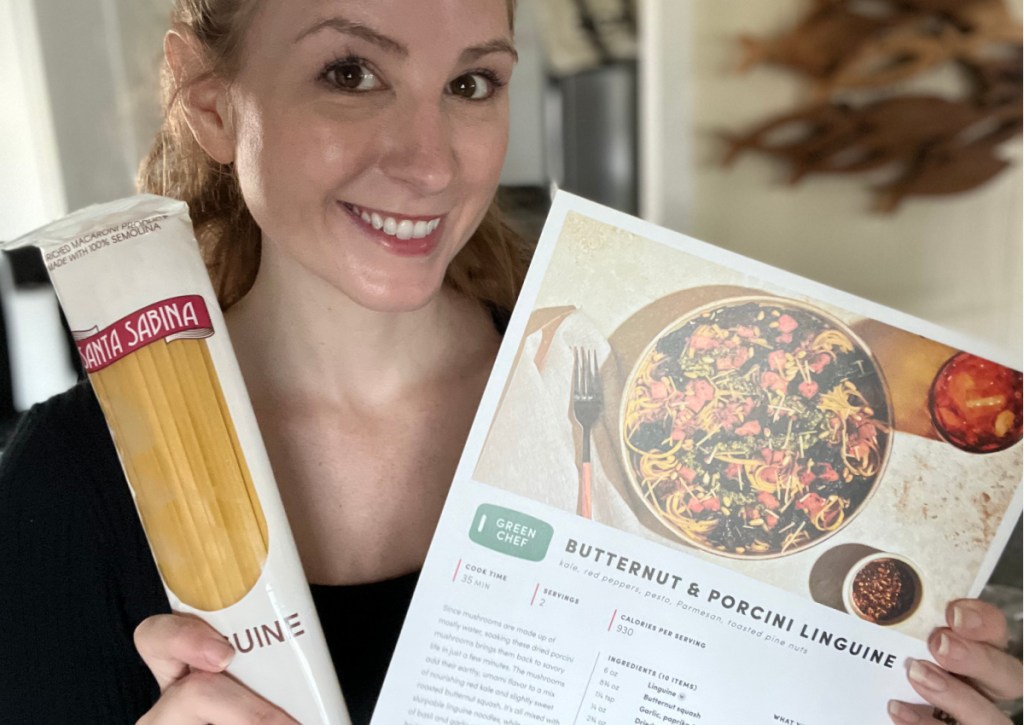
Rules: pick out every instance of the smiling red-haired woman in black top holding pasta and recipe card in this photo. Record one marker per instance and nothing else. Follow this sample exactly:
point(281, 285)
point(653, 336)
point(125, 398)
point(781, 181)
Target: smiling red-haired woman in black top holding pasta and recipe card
point(339, 158)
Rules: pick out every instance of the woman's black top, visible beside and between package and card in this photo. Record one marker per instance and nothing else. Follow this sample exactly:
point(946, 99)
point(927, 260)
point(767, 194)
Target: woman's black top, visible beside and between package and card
point(77, 577)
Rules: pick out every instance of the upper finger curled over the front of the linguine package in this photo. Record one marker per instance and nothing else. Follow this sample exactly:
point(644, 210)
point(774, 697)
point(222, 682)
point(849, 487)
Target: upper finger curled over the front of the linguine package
point(174, 645)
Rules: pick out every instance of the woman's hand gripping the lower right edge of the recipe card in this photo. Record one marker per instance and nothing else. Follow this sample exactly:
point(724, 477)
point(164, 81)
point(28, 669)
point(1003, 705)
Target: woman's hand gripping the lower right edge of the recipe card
point(975, 669)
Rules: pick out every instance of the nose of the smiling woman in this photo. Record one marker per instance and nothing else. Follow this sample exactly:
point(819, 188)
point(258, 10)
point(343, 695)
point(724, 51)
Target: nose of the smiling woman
point(419, 147)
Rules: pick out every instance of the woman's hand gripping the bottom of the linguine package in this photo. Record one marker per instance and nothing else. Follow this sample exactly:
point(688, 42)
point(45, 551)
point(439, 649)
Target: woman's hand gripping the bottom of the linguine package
point(188, 658)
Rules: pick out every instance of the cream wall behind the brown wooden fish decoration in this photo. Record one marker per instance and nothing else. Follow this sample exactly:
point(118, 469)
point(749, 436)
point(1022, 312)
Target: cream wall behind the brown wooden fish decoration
point(953, 261)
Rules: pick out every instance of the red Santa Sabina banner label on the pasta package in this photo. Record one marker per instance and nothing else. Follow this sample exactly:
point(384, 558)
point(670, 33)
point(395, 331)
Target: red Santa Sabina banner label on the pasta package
point(173, 319)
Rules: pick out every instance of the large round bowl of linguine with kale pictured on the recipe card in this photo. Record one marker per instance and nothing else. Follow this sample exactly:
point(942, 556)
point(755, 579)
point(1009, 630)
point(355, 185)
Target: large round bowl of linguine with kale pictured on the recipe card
point(755, 428)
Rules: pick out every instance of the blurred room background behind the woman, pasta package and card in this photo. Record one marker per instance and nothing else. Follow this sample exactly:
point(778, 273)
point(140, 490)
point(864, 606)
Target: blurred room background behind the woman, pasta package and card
point(636, 105)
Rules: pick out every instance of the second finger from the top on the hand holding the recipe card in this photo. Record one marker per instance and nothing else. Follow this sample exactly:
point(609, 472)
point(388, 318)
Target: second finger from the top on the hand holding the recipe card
point(993, 671)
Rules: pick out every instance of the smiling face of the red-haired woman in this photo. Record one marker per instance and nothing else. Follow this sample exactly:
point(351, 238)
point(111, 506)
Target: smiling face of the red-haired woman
point(369, 137)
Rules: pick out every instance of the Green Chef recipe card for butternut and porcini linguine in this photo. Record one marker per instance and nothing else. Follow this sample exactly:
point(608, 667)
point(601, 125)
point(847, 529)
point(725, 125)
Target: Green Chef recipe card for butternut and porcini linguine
point(693, 476)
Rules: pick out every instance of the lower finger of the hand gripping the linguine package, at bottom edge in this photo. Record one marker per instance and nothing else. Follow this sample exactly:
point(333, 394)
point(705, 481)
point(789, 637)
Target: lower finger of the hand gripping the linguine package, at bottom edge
point(208, 698)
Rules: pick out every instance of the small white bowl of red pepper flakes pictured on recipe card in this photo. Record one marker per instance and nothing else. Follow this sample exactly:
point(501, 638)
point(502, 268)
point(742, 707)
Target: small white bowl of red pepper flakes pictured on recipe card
point(883, 588)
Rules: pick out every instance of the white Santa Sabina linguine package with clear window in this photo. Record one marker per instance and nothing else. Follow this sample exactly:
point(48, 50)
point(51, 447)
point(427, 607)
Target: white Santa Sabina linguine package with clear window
point(136, 292)
